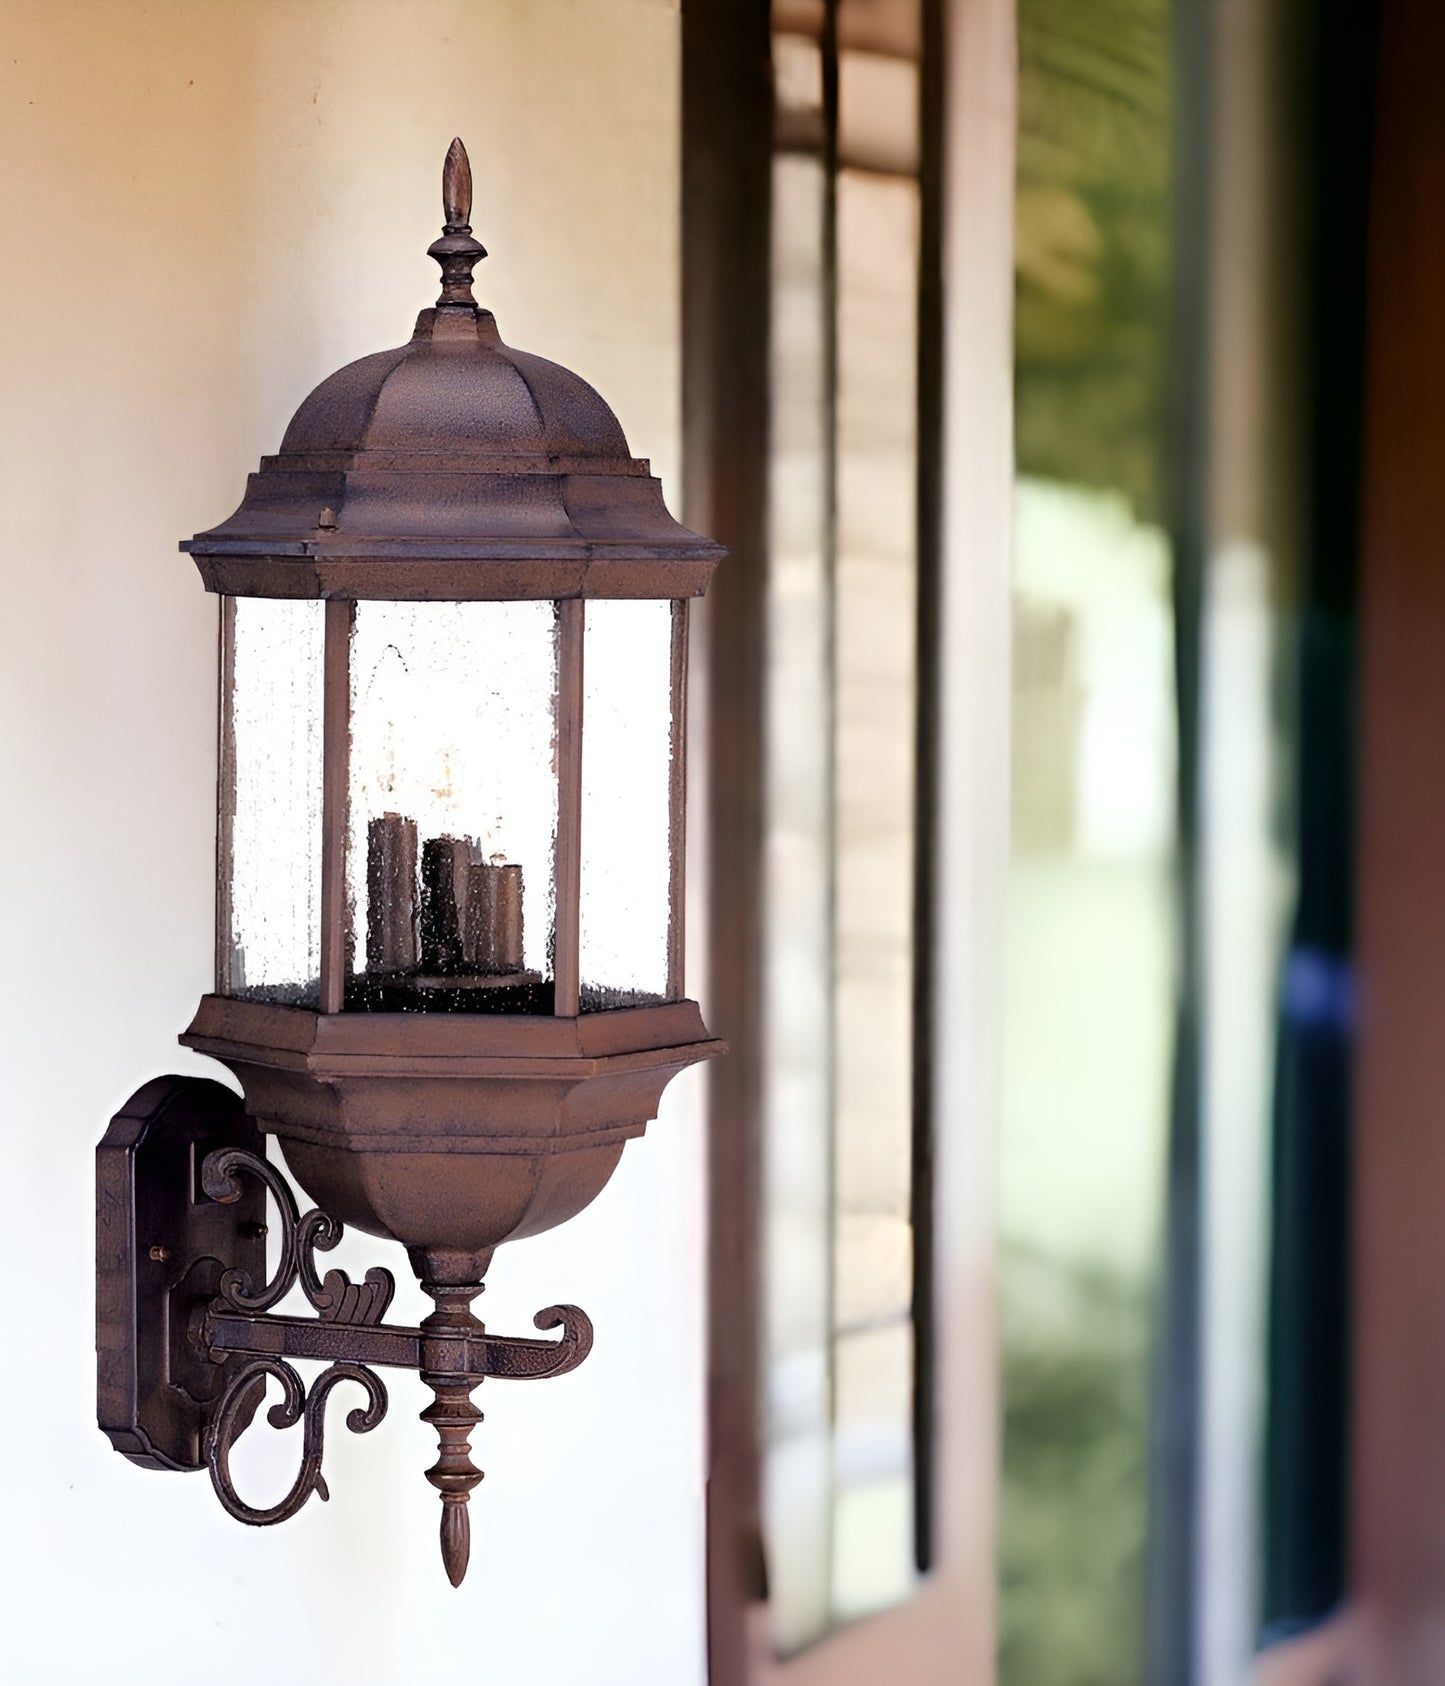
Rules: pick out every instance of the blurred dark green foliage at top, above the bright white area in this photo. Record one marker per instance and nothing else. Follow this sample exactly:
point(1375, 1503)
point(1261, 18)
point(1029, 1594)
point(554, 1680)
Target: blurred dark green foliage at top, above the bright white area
point(1093, 245)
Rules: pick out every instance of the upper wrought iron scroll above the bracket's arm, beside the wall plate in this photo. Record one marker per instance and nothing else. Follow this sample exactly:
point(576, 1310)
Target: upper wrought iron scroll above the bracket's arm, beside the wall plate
point(336, 1297)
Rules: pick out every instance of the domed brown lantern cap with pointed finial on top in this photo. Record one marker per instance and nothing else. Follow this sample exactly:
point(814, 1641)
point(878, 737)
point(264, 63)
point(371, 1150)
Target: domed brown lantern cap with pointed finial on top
point(454, 468)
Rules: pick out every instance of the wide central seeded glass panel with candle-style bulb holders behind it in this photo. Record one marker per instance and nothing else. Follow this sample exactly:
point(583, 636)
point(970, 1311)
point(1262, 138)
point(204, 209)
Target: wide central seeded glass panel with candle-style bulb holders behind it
point(453, 825)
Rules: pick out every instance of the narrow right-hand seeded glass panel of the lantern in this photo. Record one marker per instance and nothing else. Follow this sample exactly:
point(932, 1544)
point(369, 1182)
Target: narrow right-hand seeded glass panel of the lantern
point(626, 803)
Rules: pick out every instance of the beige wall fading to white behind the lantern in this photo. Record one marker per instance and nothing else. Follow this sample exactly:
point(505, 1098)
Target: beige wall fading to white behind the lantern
point(205, 208)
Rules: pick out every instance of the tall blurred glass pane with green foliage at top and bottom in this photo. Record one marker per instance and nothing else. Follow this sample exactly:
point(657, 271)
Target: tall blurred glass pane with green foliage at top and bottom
point(1095, 977)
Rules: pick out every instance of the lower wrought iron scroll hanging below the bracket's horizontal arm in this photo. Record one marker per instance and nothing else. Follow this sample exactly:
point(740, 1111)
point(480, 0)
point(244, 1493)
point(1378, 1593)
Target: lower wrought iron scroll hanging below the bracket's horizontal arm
point(294, 1407)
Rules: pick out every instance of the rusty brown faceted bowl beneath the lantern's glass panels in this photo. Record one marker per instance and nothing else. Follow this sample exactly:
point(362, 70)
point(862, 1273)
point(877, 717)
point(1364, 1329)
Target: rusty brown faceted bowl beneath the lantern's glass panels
point(451, 1132)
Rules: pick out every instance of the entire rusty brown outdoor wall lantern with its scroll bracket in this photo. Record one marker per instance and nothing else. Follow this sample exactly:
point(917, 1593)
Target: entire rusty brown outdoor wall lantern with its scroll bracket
point(454, 625)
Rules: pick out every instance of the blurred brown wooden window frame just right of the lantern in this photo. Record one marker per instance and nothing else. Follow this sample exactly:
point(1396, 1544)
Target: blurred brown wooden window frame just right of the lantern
point(728, 168)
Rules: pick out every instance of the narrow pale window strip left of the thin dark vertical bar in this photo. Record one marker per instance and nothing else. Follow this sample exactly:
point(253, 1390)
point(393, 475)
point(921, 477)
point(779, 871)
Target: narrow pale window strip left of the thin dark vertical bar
point(797, 1011)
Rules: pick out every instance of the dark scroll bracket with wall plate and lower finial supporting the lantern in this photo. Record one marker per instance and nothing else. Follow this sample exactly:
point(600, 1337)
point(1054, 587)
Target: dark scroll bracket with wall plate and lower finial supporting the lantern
point(188, 1340)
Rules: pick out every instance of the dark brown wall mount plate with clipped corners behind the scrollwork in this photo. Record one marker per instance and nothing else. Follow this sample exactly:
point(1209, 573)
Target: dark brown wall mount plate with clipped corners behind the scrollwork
point(161, 1248)
